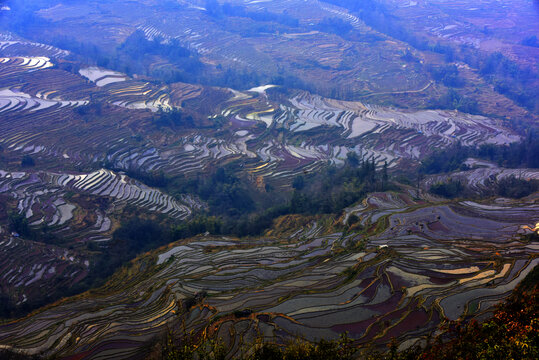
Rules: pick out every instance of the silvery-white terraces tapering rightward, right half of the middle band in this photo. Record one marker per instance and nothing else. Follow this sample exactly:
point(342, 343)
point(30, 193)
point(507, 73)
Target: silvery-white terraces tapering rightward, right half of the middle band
point(385, 134)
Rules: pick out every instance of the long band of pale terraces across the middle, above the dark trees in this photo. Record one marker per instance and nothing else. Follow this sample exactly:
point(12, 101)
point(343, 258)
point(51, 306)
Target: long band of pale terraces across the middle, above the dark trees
point(32, 125)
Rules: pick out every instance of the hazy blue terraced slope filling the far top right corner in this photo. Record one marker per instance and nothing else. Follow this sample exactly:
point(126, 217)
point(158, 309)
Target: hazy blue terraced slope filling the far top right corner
point(464, 23)
